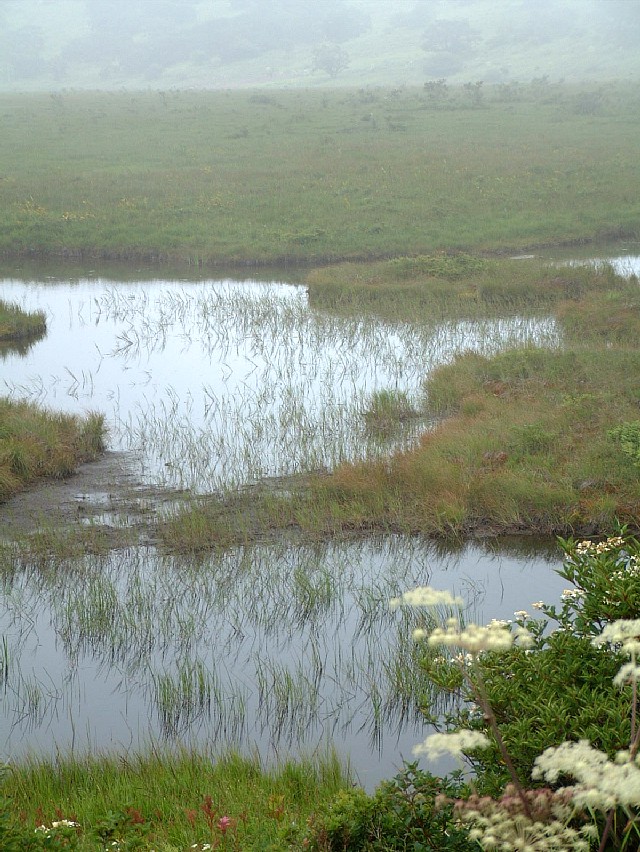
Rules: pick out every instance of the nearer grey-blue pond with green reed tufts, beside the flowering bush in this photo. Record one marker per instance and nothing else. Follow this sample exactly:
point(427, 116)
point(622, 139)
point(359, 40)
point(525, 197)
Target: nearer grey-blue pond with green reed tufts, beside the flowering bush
point(275, 648)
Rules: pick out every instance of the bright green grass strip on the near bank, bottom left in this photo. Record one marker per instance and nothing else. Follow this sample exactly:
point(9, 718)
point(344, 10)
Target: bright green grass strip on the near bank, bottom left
point(170, 802)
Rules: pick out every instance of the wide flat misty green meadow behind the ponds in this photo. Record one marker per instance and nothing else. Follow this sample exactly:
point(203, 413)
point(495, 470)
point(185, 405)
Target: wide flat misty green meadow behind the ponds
point(220, 177)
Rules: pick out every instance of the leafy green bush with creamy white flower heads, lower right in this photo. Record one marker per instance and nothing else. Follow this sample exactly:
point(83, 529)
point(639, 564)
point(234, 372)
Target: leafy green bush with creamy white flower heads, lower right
point(548, 714)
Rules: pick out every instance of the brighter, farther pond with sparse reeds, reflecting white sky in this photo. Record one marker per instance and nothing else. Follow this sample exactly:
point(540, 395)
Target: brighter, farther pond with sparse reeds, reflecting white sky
point(215, 384)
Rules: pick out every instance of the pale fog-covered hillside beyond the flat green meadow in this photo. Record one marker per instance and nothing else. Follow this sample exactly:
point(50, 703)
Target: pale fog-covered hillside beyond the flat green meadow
point(157, 44)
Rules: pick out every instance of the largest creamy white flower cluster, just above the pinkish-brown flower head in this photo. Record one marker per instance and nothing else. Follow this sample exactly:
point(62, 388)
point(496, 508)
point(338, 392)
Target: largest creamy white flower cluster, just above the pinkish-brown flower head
point(602, 784)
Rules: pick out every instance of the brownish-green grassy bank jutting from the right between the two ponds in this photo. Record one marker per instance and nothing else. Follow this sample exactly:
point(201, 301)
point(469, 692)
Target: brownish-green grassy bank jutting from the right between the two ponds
point(525, 437)
